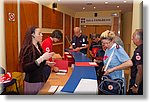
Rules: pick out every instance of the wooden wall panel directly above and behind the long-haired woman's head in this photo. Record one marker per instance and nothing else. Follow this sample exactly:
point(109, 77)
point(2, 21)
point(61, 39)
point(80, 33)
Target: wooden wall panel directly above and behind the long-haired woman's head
point(29, 16)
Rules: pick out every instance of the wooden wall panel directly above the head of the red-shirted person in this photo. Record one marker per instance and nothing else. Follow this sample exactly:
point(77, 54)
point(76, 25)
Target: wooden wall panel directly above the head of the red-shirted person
point(51, 18)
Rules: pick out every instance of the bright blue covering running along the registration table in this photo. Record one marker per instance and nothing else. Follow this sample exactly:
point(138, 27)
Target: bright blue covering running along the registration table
point(79, 72)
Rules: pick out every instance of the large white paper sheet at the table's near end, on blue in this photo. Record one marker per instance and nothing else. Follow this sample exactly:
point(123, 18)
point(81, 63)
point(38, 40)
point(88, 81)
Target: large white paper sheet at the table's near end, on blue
point(87, 86)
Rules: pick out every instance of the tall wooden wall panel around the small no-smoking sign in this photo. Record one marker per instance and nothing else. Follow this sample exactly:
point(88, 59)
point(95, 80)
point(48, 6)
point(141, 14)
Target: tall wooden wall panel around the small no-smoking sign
point(11, 36)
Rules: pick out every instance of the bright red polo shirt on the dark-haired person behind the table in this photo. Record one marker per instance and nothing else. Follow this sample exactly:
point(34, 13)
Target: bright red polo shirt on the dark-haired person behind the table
point(47, 45)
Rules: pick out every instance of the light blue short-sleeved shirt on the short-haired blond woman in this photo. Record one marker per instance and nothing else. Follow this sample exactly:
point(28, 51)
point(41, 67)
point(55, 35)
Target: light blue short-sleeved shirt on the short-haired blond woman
point(119, 57)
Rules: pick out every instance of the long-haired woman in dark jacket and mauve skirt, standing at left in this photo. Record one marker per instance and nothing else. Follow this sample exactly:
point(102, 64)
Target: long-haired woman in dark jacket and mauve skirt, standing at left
point(33, 61)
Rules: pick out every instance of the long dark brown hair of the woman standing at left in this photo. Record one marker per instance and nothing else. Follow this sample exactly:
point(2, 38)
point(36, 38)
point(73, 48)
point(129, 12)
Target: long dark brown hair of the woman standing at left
point(27, 45)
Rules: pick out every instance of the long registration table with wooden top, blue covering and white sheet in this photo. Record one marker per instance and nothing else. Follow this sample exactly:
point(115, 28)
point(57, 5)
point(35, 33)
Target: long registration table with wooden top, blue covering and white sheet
point(78, 80)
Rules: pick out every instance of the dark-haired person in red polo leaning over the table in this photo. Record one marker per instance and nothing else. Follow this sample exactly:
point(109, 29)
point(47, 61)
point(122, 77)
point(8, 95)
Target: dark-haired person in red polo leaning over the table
point(47, 44)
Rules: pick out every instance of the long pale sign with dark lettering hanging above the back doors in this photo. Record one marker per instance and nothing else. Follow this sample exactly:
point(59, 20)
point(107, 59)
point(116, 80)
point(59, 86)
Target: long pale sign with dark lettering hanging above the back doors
point(99, 20)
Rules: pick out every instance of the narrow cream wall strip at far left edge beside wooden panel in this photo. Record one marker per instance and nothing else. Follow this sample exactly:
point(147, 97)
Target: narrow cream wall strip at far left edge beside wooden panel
point(2, 36)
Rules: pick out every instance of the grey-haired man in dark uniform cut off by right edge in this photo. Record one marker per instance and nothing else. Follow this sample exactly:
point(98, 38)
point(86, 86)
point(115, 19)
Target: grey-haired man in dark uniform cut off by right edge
point(136, 81)
